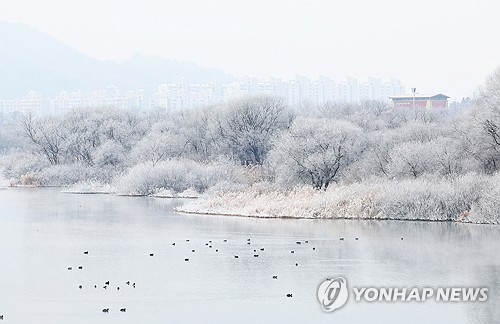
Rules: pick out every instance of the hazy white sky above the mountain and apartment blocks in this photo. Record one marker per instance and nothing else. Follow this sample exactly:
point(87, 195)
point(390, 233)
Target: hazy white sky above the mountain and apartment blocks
point(437, 46)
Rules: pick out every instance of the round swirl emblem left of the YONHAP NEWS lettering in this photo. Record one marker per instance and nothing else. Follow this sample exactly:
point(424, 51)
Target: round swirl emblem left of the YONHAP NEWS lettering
point(333, 294)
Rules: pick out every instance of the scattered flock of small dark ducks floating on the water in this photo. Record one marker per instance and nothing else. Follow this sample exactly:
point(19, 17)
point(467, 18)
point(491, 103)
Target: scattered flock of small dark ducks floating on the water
point(209, 244)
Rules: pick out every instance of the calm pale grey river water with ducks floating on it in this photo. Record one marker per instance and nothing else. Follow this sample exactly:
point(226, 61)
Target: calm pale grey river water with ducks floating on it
point(44, 231)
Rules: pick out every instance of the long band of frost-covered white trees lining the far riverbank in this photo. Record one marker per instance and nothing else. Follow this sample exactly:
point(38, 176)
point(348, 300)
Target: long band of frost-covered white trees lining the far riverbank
point(281, 145)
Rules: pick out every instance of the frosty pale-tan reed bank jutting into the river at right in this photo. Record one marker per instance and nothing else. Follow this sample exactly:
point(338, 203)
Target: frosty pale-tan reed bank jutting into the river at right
point(470, 199)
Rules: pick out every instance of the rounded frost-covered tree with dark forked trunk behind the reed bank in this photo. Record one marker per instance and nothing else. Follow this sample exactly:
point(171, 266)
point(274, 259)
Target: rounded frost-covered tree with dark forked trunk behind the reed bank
point(315, 150)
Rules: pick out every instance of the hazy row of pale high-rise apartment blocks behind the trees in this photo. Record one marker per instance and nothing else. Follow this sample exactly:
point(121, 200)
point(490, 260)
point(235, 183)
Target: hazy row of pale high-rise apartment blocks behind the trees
point(181, 95)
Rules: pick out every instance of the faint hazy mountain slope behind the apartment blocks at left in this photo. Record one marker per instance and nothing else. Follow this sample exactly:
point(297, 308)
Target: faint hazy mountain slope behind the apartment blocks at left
point(32, 60)
